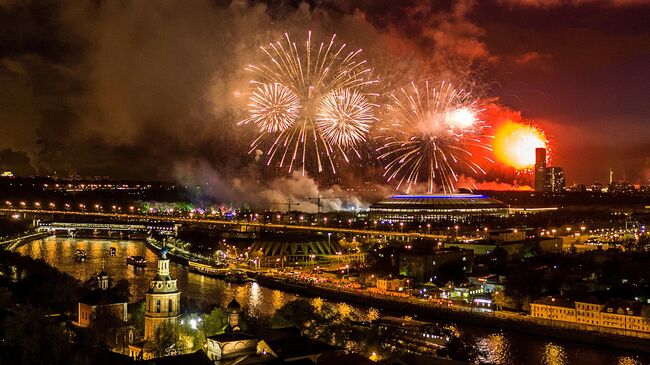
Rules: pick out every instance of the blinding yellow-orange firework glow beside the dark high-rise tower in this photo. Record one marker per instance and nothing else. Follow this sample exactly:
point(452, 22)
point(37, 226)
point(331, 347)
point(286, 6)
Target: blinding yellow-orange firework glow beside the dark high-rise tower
point(515, 143)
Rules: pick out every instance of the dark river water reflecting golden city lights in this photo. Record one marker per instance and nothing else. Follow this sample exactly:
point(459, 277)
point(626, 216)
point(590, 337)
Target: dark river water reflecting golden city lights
point(497, 347)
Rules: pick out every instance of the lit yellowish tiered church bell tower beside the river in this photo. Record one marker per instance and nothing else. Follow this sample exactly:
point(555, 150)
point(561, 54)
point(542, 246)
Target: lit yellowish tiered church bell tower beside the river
point(163, 299)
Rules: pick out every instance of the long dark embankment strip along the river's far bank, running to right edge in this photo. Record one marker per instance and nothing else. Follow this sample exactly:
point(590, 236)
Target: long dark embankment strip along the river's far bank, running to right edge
point(429, 309)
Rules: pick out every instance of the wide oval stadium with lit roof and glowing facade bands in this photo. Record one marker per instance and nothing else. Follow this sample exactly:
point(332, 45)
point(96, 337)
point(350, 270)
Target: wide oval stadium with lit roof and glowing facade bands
point(437, 208)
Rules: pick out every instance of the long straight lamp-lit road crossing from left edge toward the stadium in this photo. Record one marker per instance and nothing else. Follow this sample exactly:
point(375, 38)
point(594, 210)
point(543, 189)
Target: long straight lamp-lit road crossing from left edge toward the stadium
point(118, 216)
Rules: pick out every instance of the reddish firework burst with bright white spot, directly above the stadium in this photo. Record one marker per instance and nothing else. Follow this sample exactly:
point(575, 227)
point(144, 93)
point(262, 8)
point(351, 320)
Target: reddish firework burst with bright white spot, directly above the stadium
point(429, 134)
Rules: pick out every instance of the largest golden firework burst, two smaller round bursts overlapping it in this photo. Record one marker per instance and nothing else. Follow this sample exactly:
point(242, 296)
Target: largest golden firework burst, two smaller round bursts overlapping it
point(309, 101)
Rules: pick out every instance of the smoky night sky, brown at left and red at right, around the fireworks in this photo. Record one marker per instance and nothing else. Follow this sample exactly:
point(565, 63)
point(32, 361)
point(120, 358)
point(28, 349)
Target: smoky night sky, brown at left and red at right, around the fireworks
point(152, 90)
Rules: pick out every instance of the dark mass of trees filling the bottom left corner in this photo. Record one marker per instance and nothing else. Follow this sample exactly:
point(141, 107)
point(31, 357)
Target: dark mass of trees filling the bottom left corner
point(36, 304)
